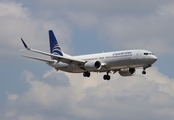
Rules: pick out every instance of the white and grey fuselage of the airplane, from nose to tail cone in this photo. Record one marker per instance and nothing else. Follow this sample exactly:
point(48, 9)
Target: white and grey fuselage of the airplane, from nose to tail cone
point(110, 61)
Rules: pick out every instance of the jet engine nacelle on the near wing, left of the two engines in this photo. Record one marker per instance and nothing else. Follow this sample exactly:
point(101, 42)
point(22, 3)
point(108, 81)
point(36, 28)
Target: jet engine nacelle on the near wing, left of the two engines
point(92, 65)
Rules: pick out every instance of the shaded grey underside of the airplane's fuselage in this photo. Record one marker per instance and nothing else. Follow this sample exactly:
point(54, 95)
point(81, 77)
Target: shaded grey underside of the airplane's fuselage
point(111, 64)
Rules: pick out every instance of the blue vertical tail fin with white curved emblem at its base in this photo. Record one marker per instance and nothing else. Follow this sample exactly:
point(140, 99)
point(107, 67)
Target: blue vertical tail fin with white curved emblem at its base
point(54, 46)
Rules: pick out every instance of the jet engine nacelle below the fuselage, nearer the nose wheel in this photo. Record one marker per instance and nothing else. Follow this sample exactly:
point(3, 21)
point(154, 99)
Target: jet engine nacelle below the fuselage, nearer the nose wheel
point(127, 72)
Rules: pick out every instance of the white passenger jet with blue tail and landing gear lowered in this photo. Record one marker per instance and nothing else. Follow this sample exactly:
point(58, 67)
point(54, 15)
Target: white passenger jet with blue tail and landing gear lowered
point(124, 62)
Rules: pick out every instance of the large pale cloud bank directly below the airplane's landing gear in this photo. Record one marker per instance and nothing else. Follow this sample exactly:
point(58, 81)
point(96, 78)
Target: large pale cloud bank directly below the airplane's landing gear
point(94, 98)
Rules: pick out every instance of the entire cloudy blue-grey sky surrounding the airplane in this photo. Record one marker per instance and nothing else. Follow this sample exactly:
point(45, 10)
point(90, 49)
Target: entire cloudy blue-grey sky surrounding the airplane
point(31, 90)
